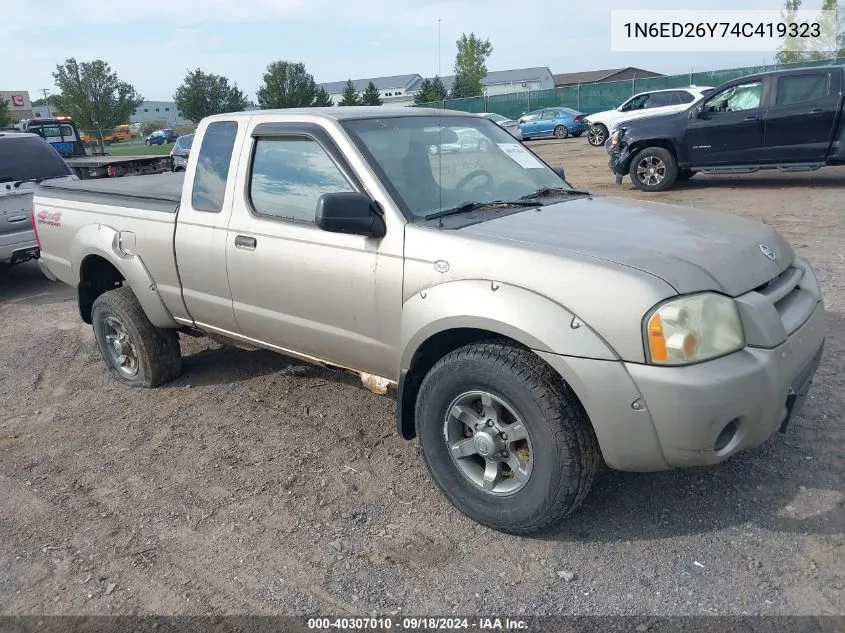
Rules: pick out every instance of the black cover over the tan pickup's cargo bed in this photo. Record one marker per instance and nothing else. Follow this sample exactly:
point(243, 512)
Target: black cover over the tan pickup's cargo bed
point(157, 192)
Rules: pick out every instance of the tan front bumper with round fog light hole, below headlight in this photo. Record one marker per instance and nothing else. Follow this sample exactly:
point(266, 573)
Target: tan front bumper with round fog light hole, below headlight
point(650, 418)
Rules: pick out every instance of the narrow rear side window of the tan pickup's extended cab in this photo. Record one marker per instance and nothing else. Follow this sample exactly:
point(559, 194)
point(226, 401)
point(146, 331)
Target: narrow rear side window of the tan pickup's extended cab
point(213, 162)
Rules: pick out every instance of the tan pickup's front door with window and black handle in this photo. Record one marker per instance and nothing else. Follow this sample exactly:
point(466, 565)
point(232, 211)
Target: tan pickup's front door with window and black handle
point(329, 296)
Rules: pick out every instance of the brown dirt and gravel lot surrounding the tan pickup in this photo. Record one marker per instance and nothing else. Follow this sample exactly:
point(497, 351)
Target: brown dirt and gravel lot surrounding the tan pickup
point(258, 485)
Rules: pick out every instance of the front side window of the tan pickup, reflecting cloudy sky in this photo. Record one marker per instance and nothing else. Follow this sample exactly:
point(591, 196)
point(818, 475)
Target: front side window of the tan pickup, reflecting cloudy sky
point(289, 174)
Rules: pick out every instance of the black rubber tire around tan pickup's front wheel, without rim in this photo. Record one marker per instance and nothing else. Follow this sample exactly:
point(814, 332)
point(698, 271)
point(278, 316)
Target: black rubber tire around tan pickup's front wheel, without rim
point(564, 449)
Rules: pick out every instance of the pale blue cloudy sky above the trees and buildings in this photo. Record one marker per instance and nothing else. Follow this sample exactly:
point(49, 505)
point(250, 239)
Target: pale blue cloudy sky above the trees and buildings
point(153, 43)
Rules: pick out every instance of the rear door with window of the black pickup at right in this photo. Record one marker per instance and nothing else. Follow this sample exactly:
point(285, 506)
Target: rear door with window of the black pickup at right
point(800, 124)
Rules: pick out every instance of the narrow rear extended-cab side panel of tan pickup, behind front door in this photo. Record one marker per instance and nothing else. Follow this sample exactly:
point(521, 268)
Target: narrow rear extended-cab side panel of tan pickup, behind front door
point(201, 226)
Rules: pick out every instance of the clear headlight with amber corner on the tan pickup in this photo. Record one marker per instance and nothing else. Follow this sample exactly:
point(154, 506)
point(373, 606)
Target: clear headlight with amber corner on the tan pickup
point(692, 329)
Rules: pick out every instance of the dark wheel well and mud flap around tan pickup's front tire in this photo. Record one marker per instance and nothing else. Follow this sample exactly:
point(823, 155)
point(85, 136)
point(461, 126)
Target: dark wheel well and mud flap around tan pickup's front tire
point(432, 350)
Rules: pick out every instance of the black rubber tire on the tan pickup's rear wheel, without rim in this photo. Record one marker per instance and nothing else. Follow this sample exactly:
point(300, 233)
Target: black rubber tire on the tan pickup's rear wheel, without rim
point(157, 352)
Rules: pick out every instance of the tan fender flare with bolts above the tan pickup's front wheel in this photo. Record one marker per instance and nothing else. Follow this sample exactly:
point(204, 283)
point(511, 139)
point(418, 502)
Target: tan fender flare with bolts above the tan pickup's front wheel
point(525, 316)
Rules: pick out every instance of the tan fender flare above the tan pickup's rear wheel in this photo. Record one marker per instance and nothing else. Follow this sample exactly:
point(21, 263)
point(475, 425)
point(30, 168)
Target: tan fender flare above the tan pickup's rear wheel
point(104, 241)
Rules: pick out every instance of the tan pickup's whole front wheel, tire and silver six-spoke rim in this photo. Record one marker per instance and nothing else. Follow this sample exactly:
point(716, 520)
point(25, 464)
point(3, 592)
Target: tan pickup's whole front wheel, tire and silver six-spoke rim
point(504, 437)
